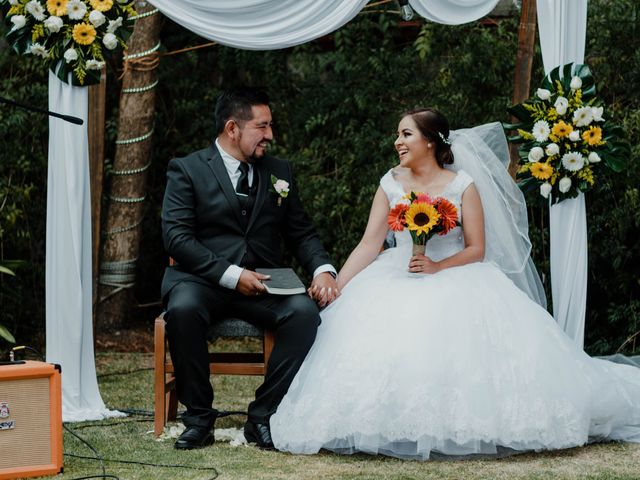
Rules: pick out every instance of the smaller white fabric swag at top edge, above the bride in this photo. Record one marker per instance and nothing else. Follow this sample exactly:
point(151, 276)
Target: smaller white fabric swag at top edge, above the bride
point(453, 12)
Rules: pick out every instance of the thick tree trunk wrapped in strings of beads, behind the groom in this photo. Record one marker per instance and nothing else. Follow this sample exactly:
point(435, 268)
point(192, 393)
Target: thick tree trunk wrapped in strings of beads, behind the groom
point(125, 203)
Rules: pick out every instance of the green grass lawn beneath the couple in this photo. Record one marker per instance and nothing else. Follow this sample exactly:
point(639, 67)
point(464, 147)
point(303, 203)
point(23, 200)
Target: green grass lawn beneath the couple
point(131, 439)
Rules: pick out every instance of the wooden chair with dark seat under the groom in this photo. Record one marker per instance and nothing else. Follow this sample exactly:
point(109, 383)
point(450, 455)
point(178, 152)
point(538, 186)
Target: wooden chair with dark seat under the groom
point(245, 363)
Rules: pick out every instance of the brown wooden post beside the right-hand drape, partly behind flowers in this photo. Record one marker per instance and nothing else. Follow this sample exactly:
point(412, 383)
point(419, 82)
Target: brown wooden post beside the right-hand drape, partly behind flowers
point(524, 61)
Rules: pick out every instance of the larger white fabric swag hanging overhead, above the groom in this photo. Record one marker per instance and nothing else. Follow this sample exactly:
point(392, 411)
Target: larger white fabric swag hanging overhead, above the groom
point(261, 24)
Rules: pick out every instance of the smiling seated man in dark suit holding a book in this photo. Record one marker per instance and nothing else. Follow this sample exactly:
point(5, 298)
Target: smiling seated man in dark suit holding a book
point(221, 218)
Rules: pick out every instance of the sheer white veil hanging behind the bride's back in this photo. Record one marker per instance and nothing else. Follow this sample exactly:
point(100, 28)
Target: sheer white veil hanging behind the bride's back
point(483, 153)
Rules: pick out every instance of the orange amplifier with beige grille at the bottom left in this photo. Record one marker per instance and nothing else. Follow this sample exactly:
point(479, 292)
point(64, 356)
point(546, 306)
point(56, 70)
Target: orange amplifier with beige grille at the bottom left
point(30, 420)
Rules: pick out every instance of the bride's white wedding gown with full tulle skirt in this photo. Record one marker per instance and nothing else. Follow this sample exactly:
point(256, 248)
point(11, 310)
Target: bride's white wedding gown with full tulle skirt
point(460, 362)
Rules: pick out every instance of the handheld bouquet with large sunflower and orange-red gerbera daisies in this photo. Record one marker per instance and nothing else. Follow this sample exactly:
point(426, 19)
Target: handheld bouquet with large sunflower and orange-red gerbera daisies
point(424, 217)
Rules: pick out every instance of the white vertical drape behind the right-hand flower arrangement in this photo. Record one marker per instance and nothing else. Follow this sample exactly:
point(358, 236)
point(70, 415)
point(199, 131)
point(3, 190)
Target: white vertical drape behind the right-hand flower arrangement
point(563, 26)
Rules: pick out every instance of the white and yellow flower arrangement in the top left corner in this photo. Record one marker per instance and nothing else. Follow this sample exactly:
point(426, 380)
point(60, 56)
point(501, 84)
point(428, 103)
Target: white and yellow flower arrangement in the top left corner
point(70, 36)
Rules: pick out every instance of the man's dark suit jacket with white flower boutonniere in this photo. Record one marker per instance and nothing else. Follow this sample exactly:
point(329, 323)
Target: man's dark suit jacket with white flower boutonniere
point(204, 229)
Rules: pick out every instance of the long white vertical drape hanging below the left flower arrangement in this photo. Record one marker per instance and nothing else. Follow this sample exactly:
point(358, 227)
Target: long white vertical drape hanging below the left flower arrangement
point(68, 256)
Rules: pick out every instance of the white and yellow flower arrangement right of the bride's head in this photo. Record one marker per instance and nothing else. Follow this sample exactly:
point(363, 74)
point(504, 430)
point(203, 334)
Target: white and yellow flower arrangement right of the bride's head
point(565, 134)
